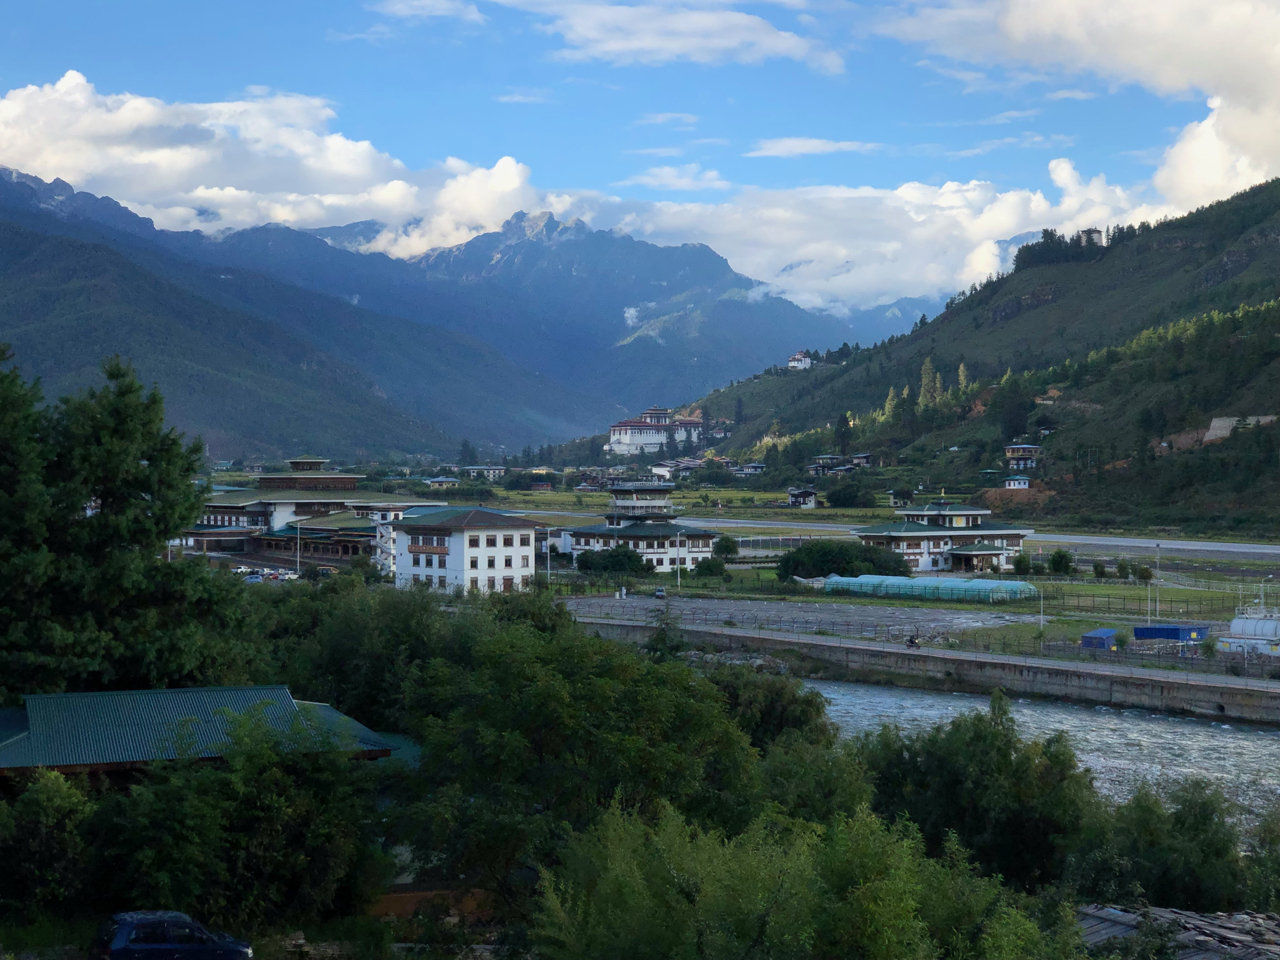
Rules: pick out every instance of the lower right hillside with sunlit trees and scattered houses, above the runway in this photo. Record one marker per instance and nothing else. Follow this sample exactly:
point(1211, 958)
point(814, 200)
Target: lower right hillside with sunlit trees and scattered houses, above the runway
point(1123, 433)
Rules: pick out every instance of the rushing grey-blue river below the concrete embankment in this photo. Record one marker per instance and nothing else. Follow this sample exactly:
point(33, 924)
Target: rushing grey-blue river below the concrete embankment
point(1123, 748)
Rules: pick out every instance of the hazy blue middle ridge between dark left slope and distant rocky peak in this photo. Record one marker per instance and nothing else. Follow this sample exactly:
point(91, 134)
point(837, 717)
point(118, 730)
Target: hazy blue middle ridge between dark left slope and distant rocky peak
point(458, 383)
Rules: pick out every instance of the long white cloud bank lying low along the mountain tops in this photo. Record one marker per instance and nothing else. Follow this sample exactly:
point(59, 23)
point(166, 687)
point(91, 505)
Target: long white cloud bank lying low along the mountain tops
point(275, 158)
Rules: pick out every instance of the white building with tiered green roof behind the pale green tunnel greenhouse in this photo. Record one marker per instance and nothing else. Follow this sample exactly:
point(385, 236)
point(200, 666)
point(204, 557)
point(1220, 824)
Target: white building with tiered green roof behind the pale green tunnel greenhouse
point(945, 536)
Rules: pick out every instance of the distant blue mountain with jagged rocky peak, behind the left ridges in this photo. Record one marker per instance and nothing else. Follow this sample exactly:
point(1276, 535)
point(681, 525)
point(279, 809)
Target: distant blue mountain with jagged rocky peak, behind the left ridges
point(623, 321)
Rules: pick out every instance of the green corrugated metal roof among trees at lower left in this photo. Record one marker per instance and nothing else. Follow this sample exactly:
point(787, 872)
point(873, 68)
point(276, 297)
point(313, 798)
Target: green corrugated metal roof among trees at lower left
point(68, 732)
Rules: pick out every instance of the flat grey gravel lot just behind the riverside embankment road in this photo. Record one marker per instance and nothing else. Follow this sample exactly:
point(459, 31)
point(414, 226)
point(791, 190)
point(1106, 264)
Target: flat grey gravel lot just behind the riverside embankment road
point(781, 615)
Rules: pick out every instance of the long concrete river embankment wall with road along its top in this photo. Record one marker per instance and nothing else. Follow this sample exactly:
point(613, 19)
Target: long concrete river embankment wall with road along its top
point(1169, 692)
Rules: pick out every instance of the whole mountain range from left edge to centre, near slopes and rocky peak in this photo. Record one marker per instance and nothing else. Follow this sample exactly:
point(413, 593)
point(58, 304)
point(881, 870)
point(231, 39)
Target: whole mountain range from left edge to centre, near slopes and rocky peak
point(275, 339)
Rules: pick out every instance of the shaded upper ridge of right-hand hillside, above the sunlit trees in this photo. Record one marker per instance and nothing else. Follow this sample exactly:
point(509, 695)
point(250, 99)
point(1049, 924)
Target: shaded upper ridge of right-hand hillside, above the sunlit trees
point(1063, 301)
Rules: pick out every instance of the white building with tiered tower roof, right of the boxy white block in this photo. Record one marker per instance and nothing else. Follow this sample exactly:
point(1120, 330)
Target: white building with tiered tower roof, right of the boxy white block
point(643, 518)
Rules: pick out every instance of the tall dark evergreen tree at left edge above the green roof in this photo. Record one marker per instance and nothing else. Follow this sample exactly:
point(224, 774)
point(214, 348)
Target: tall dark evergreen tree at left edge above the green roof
point(92, 491)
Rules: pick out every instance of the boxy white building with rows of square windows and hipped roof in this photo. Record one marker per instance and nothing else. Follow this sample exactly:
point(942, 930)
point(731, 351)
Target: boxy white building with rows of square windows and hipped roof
point(459, 548)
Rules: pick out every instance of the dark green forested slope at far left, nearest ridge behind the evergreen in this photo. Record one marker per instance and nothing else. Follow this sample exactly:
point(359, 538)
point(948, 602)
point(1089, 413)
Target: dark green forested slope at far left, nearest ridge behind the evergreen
point(246, 386)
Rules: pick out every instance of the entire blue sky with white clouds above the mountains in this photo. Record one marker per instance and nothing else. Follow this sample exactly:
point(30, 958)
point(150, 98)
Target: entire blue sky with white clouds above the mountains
point(646, 117)
